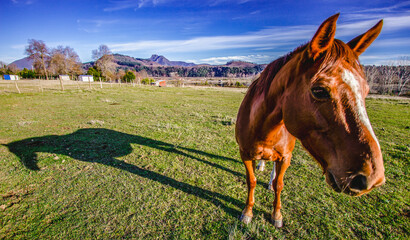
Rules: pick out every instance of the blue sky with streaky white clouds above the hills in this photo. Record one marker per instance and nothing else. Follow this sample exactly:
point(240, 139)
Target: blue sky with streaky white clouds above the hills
point(199, 31)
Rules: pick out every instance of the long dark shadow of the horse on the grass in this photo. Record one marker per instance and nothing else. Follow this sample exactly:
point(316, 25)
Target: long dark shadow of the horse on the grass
point(102, 146)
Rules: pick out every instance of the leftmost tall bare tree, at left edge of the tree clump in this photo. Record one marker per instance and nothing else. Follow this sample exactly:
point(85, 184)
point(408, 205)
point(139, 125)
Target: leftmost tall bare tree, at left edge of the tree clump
point(39, 53)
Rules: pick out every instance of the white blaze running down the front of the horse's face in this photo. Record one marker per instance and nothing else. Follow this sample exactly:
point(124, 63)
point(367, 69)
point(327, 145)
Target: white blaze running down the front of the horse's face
point(349, 78)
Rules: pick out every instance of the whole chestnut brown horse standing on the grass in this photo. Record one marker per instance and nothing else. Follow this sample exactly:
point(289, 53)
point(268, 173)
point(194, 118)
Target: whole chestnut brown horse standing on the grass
point(316, 94)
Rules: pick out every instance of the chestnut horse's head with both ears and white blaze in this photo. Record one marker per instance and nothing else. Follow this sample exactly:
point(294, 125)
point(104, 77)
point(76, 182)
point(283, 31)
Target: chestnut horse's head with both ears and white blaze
point(324, 107)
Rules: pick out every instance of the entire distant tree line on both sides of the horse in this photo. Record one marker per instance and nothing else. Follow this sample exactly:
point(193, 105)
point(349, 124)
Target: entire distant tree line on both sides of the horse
point(391, 79)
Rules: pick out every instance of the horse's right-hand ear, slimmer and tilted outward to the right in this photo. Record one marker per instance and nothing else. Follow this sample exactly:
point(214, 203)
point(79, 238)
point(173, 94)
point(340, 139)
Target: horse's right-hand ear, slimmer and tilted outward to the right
point(360, 43)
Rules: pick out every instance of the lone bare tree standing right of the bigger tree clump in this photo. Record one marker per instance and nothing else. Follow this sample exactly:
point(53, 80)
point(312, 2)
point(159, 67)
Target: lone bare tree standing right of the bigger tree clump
point(104, 61)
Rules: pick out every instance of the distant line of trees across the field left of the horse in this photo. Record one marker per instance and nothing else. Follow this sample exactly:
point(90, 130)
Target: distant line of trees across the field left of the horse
point(65, 61)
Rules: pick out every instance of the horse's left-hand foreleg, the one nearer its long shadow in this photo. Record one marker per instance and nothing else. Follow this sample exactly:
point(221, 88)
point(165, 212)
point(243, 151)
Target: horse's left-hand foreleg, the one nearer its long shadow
point(251, 184)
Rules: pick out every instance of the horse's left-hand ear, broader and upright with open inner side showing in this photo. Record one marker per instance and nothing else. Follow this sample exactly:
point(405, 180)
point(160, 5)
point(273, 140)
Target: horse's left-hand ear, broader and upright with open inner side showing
point(323, 37)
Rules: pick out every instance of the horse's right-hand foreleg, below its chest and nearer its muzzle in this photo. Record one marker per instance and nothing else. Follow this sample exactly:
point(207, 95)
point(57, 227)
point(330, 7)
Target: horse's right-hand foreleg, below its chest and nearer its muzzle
point(277, 188)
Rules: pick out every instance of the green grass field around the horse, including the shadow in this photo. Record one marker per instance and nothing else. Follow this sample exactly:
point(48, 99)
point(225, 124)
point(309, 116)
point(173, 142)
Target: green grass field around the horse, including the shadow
point(162, 163)
